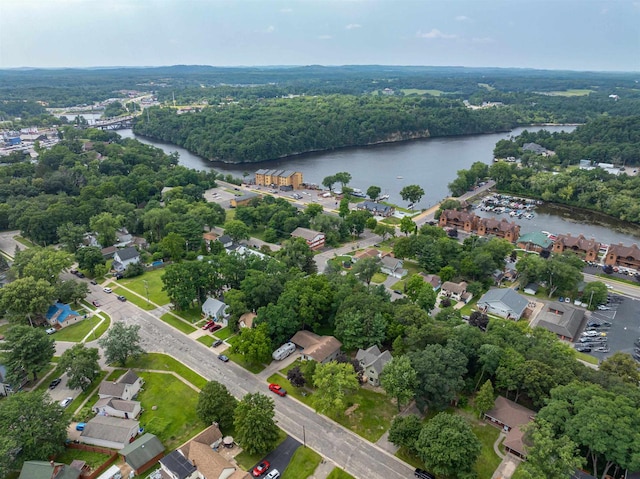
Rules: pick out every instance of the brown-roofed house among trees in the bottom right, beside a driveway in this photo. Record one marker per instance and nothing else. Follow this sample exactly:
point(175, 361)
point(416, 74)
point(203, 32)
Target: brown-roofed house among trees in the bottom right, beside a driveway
point(511, 417)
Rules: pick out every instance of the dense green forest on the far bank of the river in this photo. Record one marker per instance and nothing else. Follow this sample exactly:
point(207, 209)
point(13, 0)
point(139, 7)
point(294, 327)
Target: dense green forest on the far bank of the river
point(257, 131)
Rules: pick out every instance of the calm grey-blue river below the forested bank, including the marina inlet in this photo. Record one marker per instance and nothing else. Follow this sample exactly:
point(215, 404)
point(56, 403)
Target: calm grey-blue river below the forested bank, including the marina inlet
point(431, 163)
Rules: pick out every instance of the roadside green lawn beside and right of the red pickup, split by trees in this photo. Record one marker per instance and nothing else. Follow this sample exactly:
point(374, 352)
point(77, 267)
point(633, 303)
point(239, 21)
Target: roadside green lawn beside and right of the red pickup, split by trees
point(370, 419)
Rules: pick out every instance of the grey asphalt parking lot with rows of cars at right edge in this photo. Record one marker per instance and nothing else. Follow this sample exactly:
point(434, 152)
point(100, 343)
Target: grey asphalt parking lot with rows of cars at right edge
point(624, 316)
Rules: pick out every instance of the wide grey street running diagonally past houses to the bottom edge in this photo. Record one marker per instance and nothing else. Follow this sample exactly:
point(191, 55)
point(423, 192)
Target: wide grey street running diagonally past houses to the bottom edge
point(357, 456)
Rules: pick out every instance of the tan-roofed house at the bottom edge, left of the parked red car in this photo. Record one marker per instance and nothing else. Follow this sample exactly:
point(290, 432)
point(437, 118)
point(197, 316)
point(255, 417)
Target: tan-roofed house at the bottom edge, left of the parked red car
point(202, 452)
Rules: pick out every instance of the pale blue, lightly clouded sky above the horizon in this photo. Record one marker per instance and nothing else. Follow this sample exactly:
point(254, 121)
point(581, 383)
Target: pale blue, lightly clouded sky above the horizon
point(554, 34)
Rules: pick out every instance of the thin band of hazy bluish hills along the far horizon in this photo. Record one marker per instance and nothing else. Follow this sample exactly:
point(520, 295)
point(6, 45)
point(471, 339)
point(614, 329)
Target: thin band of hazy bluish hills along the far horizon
point(146, 67)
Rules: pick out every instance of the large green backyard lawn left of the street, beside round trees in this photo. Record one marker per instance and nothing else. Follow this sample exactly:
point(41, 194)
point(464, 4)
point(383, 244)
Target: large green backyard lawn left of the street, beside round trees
point(174, 421)
